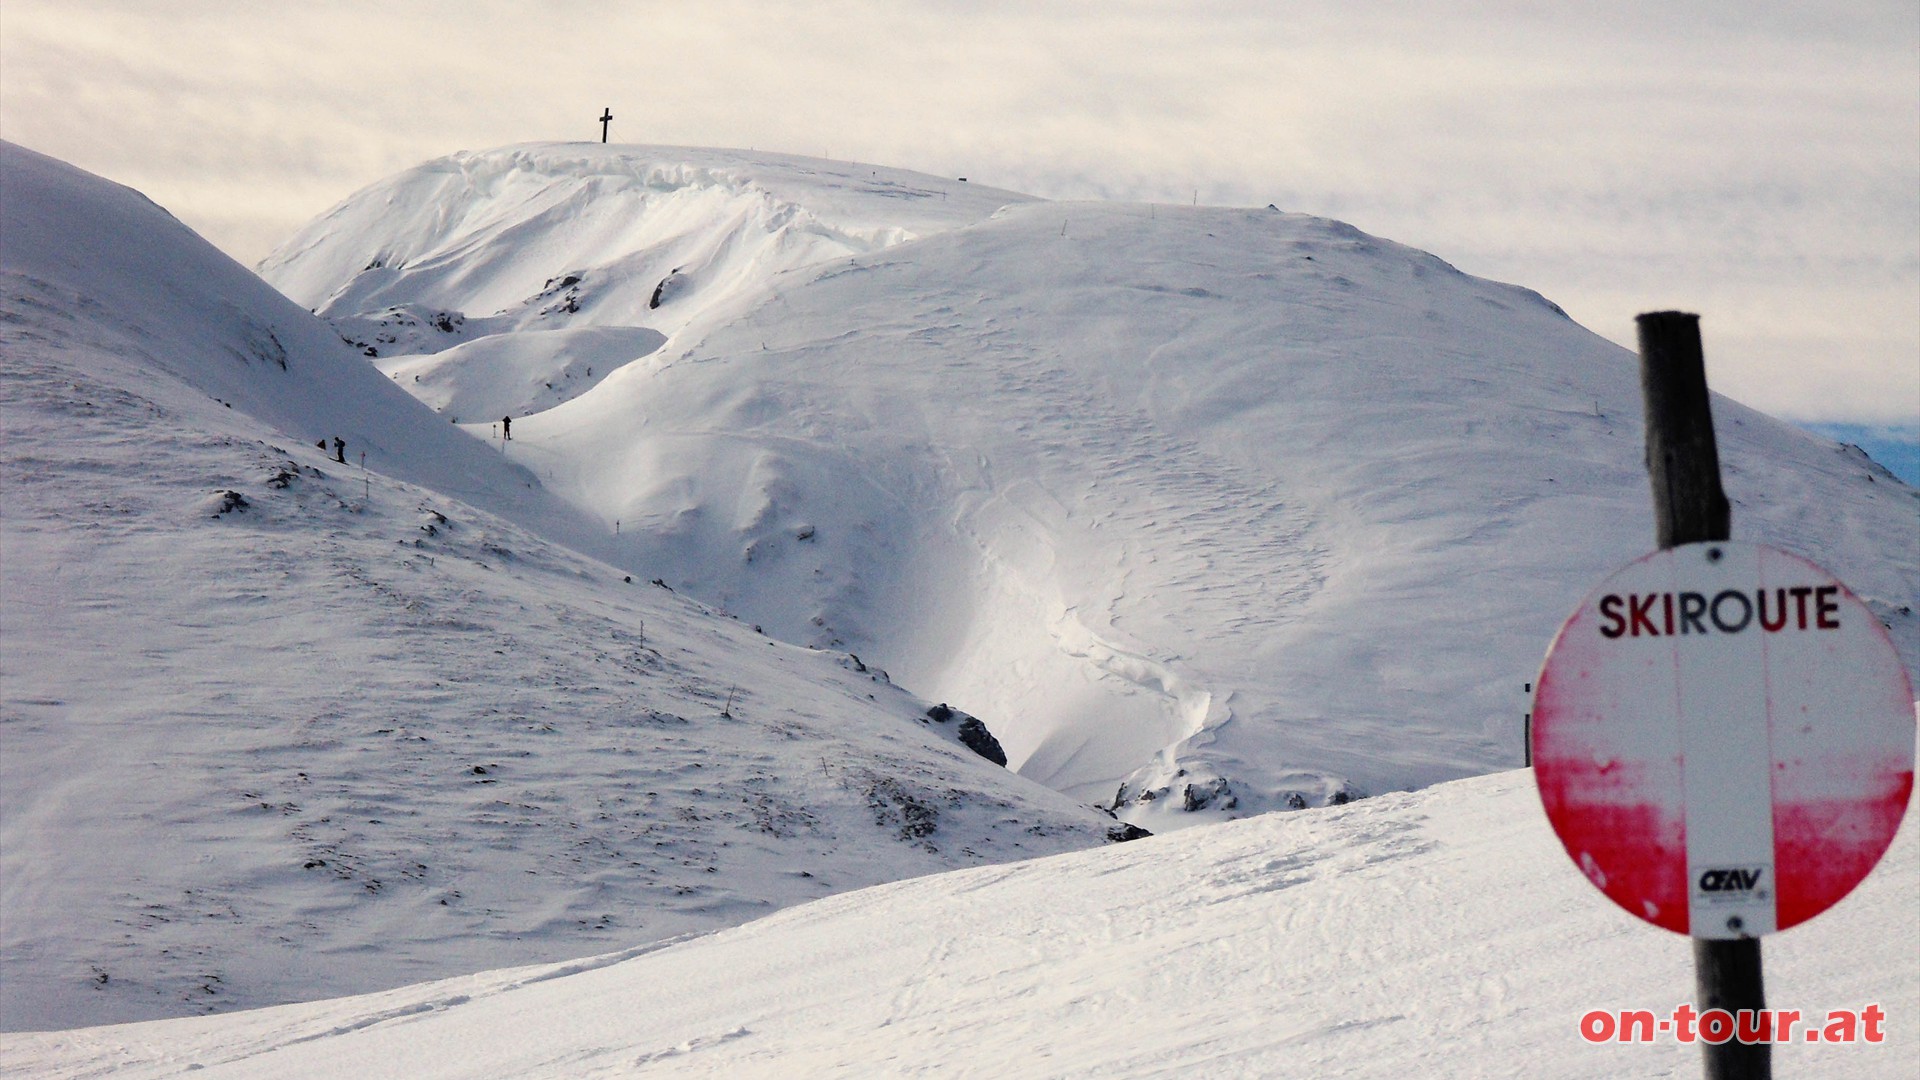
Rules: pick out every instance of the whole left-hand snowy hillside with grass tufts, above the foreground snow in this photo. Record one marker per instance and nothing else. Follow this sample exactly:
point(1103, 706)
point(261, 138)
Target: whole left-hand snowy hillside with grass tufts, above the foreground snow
point(276, 727)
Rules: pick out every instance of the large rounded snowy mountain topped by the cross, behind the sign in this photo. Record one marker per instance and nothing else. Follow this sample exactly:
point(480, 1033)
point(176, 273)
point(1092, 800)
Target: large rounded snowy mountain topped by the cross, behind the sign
point(1205, 510)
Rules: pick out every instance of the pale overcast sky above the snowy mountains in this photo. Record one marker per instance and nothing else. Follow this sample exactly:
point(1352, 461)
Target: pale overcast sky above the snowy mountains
point(1748, 160)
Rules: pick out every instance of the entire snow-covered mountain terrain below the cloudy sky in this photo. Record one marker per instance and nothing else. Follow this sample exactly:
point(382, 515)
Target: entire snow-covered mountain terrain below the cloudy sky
point(1201, 512)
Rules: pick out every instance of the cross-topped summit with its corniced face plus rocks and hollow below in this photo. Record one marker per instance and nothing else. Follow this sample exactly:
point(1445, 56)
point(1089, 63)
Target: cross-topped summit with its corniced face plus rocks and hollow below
point(636, 243)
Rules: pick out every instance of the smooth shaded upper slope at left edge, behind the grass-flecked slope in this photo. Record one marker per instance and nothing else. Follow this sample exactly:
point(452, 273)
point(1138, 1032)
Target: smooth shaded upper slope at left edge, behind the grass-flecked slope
point(99, 266)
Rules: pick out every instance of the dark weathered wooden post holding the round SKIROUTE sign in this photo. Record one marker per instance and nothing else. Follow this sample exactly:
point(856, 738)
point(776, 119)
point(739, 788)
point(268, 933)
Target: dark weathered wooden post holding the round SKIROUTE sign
point(1691, 508)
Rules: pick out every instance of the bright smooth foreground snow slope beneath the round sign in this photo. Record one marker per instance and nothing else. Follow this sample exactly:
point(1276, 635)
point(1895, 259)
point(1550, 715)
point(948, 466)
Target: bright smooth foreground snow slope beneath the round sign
point(1439, 933)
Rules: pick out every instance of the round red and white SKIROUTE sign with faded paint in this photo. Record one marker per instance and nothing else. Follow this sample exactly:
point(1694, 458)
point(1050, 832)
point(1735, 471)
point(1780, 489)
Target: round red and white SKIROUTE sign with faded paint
point(1725, 739)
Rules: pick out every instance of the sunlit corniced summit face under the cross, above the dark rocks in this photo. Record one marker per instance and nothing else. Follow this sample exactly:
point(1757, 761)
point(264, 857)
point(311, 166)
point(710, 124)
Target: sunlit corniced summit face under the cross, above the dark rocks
point(604, 235)
